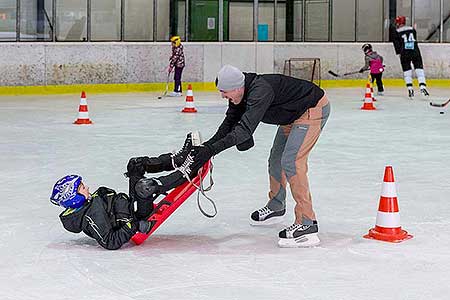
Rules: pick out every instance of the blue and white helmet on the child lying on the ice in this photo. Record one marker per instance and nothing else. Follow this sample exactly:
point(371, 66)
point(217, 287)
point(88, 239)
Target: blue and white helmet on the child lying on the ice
point(65, 192)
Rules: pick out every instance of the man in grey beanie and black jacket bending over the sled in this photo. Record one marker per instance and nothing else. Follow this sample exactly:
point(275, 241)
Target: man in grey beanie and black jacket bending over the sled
point(300, 109)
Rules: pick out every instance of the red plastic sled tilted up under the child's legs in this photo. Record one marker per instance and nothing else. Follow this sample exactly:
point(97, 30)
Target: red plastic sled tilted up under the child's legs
point(164, 208)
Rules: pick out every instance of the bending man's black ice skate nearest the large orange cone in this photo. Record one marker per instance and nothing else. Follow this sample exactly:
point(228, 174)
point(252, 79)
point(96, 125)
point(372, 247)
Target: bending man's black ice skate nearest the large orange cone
point(299, 235)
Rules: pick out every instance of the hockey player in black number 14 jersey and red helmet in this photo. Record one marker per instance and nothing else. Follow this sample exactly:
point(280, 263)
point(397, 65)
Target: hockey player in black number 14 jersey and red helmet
point(405, 44)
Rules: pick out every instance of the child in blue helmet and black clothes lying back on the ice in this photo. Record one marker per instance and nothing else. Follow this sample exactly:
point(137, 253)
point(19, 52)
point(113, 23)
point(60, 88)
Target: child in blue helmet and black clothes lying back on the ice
point(113, 218)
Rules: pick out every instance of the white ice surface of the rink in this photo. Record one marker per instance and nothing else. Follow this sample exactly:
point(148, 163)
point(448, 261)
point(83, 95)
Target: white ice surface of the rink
point(192, 257)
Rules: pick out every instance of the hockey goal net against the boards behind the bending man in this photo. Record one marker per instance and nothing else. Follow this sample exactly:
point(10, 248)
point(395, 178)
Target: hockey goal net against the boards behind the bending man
point(303, 68)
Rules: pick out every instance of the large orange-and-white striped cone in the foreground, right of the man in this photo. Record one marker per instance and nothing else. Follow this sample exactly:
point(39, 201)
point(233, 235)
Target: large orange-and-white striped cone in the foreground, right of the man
point(387, 227)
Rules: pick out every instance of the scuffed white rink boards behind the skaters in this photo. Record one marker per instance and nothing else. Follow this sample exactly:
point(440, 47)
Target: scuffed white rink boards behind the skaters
point(29, 64)
